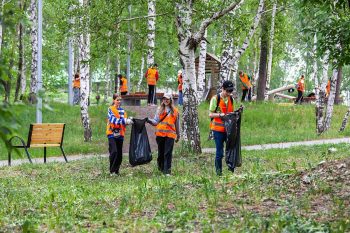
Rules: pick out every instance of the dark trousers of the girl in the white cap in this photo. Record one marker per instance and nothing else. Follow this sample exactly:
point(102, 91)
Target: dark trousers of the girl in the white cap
point(165, 153)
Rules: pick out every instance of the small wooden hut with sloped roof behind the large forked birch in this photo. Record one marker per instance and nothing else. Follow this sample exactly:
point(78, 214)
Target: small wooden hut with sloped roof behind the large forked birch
point(212, 71)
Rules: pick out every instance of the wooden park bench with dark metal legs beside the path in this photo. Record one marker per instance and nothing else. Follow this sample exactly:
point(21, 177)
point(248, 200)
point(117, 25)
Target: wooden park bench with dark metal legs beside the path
point(40, 135)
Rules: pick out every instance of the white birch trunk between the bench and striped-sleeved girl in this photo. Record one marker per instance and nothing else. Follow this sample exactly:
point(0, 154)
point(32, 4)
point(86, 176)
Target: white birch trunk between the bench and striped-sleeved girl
point(84, 60)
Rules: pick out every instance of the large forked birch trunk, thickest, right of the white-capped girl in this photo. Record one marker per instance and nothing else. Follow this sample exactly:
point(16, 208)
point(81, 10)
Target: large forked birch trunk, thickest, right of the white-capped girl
point(188, 41)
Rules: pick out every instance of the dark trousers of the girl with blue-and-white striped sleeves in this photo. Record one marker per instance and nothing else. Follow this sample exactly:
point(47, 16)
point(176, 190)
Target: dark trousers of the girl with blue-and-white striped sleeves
point(115, 147)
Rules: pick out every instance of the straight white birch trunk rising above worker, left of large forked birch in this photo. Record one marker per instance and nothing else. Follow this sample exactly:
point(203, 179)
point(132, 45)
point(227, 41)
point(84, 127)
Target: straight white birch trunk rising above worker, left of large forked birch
point(151, 36)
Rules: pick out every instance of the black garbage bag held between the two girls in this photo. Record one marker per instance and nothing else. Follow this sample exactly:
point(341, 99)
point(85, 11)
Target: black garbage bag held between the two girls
point(139, 149)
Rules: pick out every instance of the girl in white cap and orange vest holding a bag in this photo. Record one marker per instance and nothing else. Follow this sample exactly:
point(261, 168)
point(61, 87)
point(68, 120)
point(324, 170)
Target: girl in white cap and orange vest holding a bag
point(167, 124)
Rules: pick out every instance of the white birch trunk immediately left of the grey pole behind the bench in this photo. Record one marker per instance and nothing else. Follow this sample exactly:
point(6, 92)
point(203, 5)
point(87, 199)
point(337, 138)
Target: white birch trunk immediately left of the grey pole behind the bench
point(34, 43)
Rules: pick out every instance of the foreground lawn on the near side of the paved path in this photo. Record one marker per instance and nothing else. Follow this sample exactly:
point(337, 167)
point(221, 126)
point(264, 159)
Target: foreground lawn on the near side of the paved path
point(267, 194)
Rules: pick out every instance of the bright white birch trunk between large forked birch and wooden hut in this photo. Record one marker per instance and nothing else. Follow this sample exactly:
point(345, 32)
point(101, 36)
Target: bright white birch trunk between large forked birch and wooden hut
point(201, 67)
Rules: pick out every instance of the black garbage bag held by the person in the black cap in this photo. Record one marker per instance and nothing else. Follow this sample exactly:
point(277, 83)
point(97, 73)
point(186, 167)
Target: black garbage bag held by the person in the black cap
point(232, 123)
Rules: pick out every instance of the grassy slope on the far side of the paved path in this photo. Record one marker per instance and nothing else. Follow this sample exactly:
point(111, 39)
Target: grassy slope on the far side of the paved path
point(261, 123)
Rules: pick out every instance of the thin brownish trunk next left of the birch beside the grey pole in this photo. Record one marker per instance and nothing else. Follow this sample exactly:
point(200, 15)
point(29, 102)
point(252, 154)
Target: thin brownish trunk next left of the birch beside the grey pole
point(20, 72)
